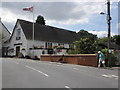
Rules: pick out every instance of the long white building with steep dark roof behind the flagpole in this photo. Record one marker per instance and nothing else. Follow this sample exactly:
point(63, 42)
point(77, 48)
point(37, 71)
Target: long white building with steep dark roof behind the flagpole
point(46, 38)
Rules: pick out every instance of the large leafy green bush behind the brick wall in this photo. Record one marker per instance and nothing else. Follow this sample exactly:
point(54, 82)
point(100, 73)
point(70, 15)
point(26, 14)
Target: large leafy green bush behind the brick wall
point(86, 45)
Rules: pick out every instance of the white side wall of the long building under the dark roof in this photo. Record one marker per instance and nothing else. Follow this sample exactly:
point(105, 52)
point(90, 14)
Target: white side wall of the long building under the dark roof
point(38, 52)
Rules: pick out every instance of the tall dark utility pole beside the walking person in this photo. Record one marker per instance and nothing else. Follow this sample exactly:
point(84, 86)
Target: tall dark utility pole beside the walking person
point(108, 22)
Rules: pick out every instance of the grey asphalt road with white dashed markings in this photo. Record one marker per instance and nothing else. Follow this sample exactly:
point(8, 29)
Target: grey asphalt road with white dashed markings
point(26, 73)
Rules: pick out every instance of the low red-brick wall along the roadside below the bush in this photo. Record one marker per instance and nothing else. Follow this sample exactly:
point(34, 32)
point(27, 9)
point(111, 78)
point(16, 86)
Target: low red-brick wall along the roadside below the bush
point(79, 59)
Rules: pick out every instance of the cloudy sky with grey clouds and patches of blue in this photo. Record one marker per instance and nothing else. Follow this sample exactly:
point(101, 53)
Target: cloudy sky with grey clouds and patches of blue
point(71, 15)
